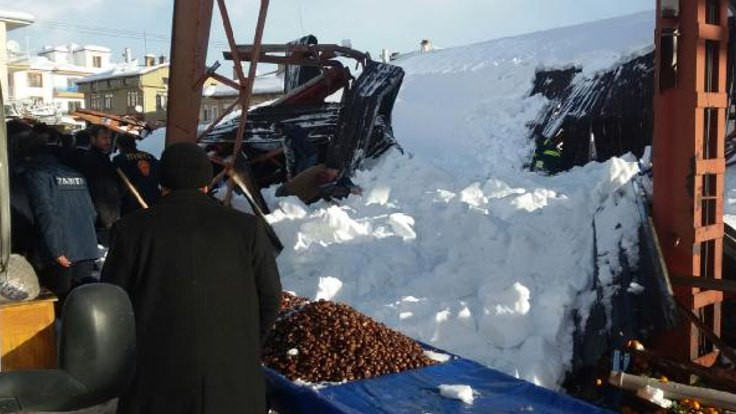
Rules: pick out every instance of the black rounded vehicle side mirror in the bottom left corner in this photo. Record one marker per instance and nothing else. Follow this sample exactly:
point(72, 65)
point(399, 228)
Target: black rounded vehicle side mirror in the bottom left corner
point(96, 356)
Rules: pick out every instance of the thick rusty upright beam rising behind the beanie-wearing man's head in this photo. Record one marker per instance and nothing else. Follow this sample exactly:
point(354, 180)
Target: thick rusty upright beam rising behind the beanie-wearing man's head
point(189, 40)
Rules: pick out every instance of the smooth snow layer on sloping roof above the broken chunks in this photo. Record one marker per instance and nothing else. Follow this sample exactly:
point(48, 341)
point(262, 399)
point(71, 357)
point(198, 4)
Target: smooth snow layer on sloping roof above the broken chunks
point(466, 107)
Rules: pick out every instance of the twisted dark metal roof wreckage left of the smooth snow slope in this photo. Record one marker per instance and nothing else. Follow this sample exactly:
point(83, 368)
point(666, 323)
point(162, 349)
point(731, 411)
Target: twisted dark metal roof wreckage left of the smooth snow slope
point(345, 132)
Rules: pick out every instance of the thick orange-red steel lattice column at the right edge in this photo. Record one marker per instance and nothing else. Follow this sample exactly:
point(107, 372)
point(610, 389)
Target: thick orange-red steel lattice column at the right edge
point(689, 165)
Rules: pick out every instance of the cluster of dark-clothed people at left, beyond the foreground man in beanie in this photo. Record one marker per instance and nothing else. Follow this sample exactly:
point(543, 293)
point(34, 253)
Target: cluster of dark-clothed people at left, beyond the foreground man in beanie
point(66, 194)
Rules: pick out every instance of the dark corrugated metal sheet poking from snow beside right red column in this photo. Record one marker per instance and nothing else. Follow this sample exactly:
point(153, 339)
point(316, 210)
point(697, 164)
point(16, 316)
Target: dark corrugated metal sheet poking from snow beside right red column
point(612, 109)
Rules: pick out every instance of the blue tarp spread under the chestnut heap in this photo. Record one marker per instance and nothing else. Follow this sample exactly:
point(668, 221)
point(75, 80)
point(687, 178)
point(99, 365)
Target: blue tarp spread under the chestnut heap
point(417, 391)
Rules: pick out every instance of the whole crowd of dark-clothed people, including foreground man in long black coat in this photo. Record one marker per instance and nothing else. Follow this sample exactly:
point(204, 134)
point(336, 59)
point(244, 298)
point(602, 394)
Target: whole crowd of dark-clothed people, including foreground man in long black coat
point(202, 278)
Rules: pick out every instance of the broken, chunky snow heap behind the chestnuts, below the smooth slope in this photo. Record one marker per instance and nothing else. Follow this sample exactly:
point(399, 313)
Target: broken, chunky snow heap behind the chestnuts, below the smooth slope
point(492, 270)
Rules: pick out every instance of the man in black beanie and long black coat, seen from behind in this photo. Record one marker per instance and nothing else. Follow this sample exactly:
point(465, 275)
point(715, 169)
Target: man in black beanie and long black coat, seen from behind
point(205, 290)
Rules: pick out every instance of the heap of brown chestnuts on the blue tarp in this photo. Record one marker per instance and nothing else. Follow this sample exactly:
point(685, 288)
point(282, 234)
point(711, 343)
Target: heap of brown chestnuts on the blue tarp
point(330, 342)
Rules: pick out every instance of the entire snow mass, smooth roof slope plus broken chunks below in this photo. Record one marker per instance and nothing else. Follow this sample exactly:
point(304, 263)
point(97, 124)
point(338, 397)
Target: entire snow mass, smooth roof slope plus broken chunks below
point(455, 243)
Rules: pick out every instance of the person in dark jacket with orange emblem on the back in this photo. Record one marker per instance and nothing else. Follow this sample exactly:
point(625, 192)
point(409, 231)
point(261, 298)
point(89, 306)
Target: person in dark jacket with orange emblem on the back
point(141, 168)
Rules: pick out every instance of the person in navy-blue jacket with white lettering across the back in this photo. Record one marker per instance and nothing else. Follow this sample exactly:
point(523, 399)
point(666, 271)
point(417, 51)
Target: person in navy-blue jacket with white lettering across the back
point(64, 218)
